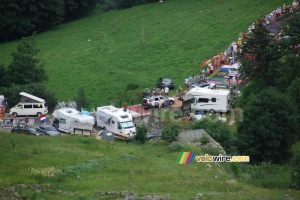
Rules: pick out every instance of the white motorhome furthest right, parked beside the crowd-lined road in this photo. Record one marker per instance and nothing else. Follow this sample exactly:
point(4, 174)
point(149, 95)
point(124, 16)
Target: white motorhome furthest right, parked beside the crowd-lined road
point(210, 100)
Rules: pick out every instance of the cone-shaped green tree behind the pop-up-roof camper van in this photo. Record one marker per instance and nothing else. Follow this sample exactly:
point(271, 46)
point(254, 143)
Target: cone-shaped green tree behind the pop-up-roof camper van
point(25, 68)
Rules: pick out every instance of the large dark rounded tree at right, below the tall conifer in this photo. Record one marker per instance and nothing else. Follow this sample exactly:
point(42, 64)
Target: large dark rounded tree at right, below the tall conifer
point(269, 127)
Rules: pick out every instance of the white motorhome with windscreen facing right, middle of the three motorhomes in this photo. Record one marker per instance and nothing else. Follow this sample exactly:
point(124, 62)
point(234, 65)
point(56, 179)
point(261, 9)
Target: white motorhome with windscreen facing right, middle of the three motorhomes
point(115, 120)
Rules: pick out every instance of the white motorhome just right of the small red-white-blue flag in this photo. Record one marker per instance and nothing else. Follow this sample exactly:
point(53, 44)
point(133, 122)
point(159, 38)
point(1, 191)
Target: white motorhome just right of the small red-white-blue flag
point(70, 120)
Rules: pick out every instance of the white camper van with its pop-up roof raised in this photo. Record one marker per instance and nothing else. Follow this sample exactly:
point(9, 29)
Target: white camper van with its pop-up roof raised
point(29, 105)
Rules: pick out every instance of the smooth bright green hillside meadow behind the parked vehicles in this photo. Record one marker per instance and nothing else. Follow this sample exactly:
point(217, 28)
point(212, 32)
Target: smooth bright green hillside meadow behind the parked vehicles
point(103, 53)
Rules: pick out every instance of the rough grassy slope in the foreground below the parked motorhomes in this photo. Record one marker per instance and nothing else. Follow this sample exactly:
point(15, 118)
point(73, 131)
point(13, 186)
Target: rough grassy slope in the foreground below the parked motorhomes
point(71, 167)
